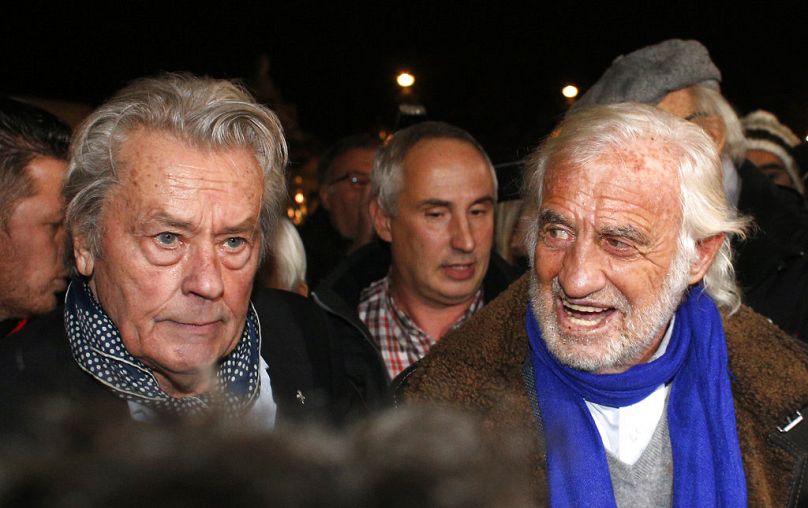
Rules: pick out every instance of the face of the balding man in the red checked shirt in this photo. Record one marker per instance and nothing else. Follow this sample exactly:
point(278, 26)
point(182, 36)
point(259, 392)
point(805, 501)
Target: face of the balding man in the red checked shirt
point(442, 231)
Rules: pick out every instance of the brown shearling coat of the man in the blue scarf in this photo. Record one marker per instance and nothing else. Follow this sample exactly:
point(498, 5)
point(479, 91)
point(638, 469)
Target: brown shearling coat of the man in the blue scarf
point(480, 367)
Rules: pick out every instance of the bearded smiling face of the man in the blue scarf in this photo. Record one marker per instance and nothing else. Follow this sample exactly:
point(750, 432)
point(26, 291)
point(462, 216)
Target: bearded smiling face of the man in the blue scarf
point(608, 276)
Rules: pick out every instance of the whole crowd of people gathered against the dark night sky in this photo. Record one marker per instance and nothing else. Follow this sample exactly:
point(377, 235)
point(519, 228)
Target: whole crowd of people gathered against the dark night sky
point(625, 326)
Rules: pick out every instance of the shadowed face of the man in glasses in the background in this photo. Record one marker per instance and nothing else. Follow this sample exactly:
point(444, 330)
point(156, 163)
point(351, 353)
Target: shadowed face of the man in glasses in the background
point(347, 189)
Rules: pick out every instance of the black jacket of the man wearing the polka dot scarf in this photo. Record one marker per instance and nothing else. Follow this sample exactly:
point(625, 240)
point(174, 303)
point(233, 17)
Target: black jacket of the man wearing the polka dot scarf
point(312, 374)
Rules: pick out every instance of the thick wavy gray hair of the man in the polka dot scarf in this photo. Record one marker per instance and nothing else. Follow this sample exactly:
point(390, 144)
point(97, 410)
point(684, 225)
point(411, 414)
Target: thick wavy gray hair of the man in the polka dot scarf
point(203, 112)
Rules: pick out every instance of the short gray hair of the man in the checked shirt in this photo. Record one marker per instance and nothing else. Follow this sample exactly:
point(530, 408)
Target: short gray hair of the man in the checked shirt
point(388, 166)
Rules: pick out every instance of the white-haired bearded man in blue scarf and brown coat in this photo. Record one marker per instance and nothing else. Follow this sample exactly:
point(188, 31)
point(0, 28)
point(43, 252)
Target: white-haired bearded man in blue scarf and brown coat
point(625, 356)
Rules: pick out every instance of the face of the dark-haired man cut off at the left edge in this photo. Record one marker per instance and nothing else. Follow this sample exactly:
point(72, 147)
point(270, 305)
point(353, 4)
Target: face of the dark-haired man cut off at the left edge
point(32, 267)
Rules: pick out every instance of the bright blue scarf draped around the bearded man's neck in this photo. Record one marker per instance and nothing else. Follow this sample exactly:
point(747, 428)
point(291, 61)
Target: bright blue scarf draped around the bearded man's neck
point(707, 467)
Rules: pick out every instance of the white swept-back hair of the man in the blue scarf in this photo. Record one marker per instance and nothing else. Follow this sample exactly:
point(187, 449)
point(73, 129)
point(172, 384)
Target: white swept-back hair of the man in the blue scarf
point(584, 136)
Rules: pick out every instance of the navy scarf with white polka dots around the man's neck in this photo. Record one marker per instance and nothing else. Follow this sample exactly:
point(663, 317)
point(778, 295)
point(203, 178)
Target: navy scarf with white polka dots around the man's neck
point(97, 347)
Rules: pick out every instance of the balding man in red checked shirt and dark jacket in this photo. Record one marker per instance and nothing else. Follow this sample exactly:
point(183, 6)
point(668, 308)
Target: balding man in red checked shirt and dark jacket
point(433, 196)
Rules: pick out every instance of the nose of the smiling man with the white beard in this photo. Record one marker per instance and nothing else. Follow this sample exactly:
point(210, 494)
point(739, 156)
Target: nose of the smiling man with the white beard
point(581, 270)
